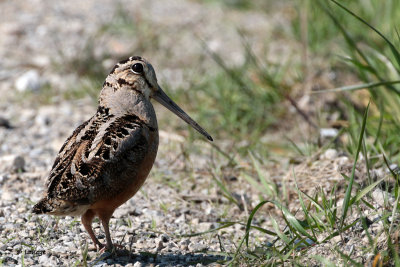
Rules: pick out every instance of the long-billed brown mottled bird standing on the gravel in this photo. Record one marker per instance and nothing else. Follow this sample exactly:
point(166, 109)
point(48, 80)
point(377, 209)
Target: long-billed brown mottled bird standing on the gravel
point(107, 159)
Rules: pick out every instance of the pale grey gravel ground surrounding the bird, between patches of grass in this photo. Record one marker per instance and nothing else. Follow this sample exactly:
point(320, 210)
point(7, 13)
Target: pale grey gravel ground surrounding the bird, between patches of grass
point(180, 197)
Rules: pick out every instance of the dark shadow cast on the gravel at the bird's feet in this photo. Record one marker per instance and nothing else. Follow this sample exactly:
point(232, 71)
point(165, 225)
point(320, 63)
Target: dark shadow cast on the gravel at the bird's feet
point(124, 257)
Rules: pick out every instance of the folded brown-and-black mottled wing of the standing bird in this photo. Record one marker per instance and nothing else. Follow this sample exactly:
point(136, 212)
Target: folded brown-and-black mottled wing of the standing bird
point(93, 158)
